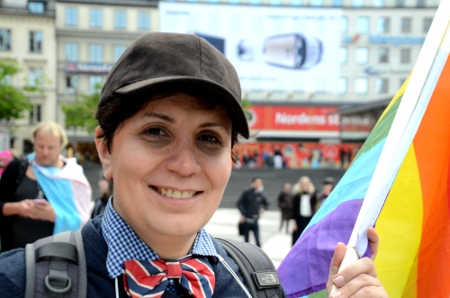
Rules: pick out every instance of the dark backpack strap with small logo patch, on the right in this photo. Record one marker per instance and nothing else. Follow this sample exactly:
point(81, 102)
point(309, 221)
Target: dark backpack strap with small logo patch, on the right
point(256, 268)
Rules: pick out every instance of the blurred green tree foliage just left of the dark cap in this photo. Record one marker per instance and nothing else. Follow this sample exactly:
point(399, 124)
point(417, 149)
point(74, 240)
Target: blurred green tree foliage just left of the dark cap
point(80, 114)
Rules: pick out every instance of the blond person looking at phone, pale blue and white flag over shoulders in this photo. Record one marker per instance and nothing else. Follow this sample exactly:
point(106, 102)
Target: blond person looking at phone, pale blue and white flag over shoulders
point(44, 193)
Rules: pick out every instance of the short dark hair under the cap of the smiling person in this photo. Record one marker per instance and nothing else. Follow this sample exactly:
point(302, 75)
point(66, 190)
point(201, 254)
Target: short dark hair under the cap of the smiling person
point(112, 115)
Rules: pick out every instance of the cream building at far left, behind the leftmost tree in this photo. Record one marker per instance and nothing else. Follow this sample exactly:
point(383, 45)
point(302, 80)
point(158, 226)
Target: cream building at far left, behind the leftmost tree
point(27, 36)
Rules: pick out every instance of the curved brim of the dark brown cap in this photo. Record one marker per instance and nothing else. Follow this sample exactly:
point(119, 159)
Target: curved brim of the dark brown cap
point(227, 98)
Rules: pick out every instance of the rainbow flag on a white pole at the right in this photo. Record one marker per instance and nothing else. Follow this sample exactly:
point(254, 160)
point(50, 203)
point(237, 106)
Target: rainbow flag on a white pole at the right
point(400, 179)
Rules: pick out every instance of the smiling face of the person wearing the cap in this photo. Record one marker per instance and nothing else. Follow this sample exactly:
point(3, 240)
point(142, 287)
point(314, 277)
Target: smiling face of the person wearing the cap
point(170, 164)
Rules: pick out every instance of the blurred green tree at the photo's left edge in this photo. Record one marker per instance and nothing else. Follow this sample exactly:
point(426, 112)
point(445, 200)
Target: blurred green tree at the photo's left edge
point(13, 101)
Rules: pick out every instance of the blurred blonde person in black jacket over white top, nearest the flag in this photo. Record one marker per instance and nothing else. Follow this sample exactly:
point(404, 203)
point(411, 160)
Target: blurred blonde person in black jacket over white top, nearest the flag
point(303, 206)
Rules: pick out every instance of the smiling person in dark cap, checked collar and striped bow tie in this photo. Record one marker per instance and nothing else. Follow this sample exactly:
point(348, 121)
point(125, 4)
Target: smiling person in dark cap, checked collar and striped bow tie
point(169, 115)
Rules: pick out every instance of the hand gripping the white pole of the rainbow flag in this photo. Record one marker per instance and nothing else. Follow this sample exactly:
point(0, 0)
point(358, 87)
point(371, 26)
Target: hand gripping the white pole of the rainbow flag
point(359, 279)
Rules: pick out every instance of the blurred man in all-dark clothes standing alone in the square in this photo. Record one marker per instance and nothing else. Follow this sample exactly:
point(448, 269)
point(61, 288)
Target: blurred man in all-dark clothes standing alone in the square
point(252, 203)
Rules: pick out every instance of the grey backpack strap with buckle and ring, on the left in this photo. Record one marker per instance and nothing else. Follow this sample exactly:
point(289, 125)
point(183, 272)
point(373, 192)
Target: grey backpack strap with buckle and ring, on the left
point(56, 267)
